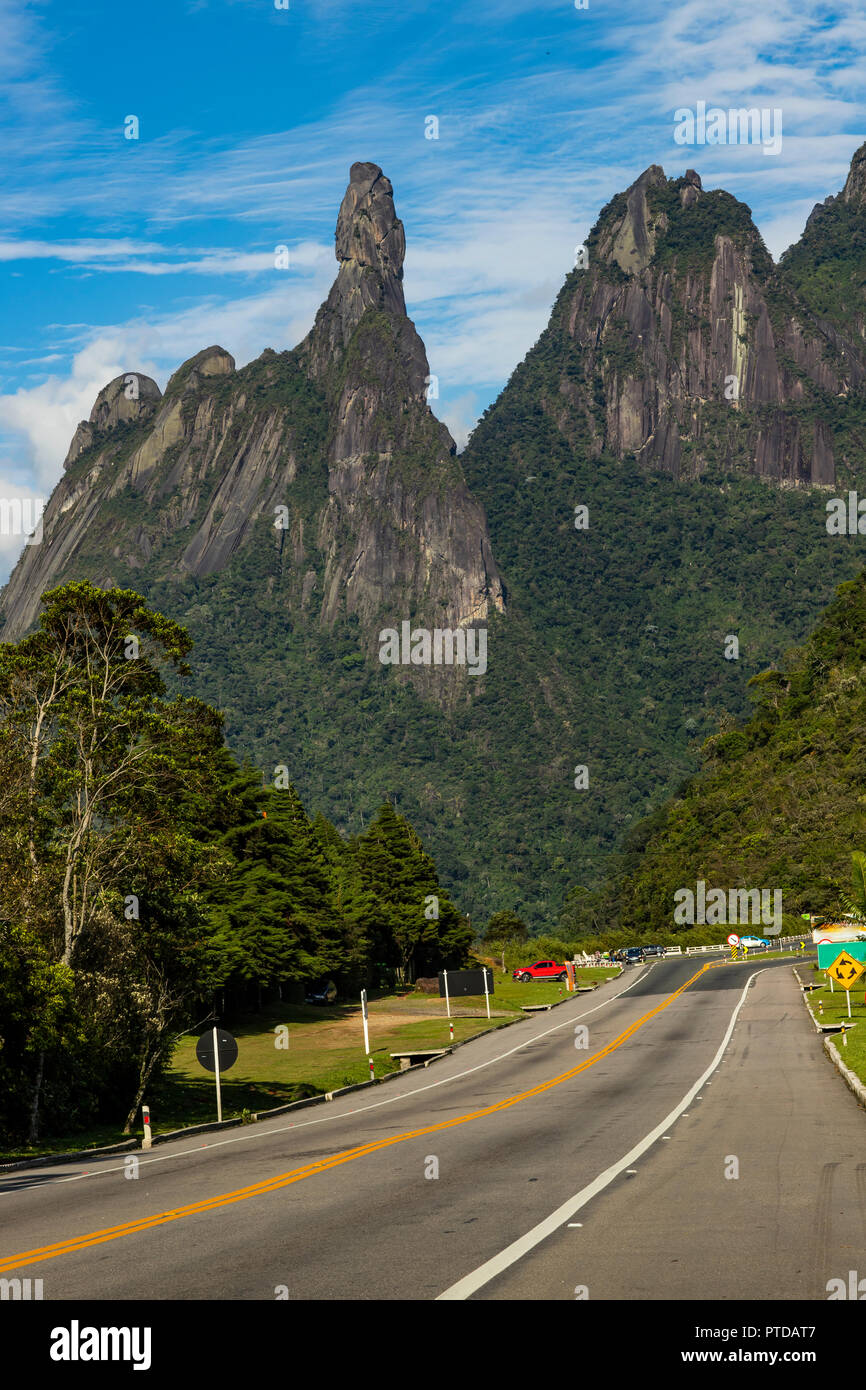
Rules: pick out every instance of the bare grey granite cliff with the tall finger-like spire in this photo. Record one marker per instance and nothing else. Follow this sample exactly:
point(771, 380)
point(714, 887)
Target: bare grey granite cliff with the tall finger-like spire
point(330, 452)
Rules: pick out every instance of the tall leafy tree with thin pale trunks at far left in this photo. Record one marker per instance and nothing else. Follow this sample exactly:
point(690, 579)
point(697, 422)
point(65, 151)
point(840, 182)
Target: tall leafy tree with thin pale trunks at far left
point(102, 782)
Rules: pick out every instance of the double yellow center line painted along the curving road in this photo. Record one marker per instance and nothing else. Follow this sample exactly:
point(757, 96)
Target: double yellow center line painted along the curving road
point(297, 1175)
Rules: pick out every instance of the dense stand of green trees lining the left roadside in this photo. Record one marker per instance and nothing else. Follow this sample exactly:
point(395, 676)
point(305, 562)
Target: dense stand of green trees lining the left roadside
point(148, 875)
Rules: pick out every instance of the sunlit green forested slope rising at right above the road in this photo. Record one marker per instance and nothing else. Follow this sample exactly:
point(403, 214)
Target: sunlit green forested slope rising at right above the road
point(781, 801)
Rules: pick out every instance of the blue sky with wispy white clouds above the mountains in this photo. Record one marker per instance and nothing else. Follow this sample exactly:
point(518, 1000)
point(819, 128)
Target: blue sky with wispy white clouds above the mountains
point(133, 255)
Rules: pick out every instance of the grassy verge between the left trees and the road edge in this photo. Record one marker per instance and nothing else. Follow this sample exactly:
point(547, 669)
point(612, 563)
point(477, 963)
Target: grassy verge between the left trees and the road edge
point(323, 1049)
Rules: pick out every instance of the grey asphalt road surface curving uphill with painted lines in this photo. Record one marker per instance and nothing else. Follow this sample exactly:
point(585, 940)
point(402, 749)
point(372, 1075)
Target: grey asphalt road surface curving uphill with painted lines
point(694, 1145)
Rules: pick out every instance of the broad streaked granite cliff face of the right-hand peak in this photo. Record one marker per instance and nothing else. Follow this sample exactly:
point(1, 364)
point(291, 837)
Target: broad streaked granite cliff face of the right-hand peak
point(682, 345)
